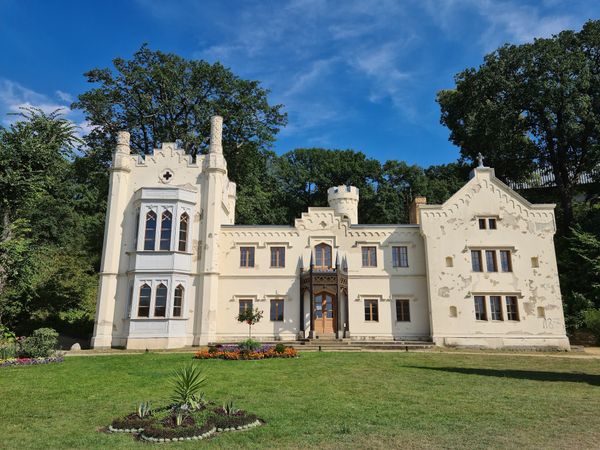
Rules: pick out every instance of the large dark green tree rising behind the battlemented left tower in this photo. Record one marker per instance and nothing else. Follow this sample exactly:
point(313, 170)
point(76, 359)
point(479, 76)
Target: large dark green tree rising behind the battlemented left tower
point(162, 97)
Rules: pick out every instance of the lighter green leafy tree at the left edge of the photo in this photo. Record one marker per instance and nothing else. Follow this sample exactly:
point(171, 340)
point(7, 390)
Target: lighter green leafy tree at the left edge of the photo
point(34, 159)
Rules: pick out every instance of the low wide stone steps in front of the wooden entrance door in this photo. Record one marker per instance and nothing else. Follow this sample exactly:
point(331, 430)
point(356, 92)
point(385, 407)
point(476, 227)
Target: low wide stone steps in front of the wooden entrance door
point(347, 345)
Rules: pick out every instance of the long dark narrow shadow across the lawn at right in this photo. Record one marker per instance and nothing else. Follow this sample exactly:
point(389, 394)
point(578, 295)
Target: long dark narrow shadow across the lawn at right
point(593, 380)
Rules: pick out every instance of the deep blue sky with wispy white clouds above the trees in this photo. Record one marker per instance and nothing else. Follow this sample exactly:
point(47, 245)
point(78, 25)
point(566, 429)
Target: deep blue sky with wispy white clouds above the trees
point(351, 73)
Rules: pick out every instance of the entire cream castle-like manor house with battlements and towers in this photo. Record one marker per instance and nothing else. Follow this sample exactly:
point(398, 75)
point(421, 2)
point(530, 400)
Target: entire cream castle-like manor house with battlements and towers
point(479, 270)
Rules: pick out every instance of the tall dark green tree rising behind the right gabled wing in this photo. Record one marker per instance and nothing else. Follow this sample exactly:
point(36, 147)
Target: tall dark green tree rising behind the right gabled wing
point(532, 105)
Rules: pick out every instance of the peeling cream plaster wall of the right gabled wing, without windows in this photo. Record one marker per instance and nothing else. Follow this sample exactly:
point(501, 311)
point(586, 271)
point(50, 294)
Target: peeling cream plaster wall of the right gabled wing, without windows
point(451, 230)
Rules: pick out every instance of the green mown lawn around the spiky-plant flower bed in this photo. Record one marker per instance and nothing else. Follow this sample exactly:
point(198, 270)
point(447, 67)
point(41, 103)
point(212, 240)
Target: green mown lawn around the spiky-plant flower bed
point(320, 400)
